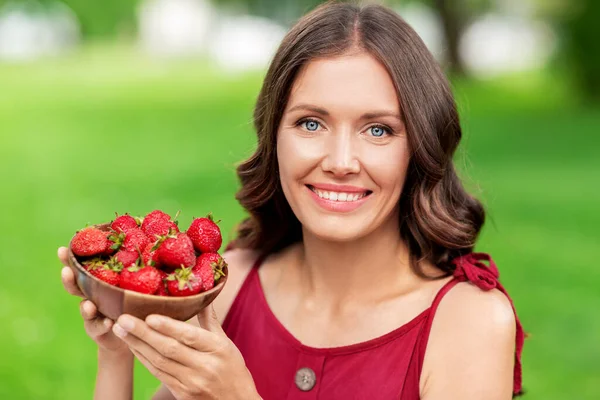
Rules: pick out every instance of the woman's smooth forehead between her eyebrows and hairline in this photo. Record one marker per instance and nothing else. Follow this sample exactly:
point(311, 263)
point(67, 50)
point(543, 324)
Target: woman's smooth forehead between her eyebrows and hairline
point(350, 82)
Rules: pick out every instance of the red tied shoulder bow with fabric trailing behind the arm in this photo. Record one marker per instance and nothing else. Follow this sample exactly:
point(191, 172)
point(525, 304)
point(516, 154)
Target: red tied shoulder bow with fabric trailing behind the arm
point(471, 267)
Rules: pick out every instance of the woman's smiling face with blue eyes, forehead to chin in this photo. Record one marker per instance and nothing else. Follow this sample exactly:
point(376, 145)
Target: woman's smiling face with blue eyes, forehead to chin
point(342, 148)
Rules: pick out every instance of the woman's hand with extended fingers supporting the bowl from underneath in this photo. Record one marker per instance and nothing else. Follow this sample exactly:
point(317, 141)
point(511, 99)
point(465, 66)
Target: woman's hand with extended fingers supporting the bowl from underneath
point(192, 362)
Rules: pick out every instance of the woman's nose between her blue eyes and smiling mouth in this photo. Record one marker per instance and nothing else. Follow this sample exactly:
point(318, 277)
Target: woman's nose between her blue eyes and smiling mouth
point(340, 159)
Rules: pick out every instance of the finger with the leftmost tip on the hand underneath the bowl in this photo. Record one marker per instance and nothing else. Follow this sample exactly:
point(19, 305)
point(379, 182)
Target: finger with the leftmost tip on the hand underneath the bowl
point(139, 333)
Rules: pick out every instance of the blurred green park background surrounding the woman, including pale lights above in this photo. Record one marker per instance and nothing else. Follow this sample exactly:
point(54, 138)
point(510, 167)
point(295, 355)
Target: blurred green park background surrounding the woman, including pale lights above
point(132, 105)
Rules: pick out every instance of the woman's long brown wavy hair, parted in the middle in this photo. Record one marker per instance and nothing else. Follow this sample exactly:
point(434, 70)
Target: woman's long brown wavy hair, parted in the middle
point(439, 220)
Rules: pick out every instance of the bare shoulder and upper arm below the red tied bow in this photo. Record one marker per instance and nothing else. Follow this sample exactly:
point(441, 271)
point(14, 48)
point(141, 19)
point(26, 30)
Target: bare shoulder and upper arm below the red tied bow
point(474, 331)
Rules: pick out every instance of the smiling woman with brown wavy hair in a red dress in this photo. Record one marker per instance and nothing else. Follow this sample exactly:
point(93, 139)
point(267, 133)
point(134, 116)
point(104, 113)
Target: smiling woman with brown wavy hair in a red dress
point(360, 234)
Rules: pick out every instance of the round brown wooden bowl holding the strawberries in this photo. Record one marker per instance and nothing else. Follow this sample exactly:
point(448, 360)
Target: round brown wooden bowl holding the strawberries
point(113, 301)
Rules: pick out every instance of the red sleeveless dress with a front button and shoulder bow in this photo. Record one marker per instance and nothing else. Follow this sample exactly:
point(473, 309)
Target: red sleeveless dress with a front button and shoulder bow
point(387, 367)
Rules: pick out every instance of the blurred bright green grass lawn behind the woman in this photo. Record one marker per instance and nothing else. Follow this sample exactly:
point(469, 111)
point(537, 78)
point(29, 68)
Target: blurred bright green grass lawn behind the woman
point(104, 131)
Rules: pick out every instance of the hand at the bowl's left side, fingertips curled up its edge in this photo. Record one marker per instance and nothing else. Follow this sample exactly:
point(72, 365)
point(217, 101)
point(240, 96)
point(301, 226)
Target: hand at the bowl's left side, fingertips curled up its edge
point(97, 327)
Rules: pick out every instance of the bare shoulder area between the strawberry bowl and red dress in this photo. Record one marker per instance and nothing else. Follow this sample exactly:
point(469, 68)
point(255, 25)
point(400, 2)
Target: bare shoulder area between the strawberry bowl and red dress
point(239, 263)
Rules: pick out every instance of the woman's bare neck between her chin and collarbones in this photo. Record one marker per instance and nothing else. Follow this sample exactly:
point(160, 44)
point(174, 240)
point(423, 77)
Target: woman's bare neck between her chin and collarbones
point(373, 267)
